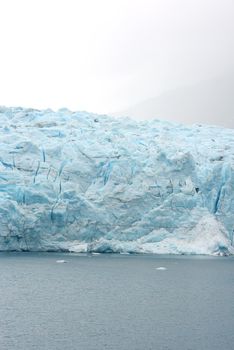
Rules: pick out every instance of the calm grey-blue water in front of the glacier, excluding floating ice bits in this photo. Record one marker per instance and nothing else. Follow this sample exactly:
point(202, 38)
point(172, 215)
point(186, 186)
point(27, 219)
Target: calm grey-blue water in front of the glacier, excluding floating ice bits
point(115, 302)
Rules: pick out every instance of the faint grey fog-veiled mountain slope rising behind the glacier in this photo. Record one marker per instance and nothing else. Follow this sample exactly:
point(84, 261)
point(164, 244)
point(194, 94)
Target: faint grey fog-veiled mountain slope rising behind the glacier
point(207, 102)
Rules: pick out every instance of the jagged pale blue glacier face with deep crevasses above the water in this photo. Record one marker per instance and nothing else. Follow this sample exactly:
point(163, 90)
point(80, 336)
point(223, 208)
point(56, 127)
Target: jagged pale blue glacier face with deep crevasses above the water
point(83, 182)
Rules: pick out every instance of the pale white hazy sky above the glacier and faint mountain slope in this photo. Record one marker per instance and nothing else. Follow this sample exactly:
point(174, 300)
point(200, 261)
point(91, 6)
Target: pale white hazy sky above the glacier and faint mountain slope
point(106, 55)
